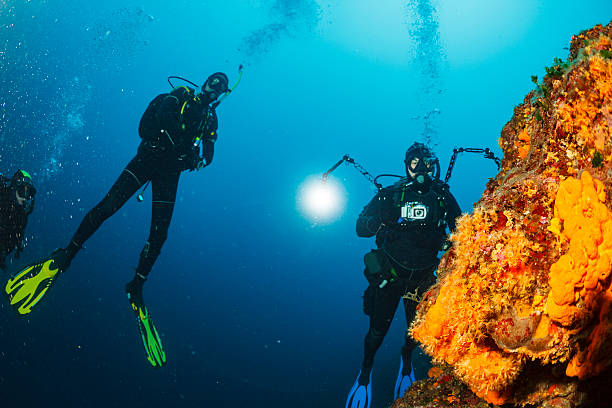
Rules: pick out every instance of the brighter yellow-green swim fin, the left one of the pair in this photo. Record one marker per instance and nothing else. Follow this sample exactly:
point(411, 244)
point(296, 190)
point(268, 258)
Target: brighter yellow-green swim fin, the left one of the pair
point(27, 287)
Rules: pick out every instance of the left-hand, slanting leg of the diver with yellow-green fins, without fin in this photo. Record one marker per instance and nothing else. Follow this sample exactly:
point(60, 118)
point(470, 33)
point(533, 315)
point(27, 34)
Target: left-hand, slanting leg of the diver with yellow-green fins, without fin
point(130, 180)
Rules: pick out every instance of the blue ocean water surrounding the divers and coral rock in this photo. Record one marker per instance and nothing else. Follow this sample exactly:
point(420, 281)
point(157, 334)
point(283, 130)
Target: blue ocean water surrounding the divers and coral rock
point(257, 305)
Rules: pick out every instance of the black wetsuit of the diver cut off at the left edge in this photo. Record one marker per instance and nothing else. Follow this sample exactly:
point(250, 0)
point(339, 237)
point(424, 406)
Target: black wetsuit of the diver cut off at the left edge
point(13, 221)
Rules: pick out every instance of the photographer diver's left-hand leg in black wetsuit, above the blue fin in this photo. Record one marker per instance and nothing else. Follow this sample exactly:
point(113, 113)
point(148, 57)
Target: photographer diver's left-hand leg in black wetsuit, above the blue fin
point(385, 303)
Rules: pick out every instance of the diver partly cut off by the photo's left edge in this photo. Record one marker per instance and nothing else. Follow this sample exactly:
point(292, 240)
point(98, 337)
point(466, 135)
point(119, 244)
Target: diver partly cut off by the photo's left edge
point(16, 204)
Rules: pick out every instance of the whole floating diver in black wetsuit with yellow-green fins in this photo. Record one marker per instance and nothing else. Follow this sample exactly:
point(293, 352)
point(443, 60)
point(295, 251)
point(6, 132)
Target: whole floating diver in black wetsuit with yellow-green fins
point(172, 129)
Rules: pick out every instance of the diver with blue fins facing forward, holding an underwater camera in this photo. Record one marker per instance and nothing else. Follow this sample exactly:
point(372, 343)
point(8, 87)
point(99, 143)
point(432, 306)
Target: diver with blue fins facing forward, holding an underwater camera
point(409, 220)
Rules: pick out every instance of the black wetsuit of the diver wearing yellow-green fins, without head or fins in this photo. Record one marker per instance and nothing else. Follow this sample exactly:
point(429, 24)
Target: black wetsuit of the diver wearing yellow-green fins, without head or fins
point(170, 130)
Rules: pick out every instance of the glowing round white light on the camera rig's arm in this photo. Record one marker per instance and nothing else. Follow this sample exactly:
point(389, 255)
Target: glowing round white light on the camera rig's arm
point(321, 201)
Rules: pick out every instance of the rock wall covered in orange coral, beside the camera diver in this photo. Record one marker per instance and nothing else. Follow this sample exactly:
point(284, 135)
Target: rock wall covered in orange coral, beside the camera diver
point(528, 278)
